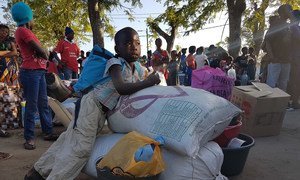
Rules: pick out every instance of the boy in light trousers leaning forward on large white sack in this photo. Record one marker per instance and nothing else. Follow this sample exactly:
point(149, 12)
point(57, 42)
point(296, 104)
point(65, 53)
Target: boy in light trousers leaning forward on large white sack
point(68, 155)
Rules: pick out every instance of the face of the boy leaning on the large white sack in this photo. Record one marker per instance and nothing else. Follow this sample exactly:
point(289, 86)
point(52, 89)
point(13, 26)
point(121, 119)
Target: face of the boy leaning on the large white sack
point(129, 47)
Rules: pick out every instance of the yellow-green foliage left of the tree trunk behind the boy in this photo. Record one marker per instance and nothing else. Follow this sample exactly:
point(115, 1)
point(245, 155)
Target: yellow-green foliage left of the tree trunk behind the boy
point(51, 17)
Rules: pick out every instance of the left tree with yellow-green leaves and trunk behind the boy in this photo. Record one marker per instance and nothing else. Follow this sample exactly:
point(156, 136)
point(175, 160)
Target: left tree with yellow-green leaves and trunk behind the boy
point(83, 16)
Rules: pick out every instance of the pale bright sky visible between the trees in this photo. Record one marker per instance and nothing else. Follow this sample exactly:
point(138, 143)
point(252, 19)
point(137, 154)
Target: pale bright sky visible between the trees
point(209, 34)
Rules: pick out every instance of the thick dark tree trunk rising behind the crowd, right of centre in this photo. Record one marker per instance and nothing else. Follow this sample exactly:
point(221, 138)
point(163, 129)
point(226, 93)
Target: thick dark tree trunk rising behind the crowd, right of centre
point(235, 11)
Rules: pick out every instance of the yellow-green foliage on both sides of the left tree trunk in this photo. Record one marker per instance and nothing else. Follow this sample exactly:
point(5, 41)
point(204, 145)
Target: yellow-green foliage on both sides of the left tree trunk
point(52, 16)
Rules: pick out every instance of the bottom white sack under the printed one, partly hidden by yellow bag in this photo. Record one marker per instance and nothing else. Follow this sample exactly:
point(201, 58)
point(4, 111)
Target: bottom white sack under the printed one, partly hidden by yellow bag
point(205, 166)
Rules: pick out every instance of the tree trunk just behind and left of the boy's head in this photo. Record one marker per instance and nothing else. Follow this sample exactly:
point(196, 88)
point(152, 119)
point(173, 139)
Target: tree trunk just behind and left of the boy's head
point(96, 21)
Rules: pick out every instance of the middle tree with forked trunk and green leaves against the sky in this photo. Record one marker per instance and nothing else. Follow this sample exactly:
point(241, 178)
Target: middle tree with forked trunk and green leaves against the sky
point(190, 15)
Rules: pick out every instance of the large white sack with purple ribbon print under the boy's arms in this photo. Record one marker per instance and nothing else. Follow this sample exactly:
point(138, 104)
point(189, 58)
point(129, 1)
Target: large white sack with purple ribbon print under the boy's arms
point(186, 117)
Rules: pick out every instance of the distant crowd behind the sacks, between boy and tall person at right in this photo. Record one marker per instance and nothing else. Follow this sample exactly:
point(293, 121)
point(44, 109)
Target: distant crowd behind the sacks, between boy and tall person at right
point(177, 67)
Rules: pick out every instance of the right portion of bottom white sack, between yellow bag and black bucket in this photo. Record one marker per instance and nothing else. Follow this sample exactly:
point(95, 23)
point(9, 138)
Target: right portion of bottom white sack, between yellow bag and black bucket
point(205, 166)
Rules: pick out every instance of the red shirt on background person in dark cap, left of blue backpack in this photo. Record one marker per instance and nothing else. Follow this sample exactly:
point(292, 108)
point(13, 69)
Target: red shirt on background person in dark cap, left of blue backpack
point(69, 52)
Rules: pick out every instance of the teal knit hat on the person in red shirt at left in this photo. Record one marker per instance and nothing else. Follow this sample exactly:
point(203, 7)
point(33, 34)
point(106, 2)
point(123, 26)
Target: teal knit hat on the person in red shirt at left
point(21, 13)
